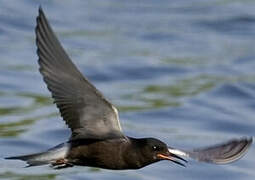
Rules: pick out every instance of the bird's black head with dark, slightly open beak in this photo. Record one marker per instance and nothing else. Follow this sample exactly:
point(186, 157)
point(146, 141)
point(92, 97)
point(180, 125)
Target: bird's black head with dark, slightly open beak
point(153, 150)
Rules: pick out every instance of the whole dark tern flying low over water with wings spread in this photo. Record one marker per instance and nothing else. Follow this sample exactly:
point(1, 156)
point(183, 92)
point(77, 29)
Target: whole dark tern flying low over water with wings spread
point(97, 139)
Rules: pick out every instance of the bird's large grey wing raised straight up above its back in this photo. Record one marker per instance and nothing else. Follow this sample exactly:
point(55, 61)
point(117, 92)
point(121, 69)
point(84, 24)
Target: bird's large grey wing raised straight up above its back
point(82, 106)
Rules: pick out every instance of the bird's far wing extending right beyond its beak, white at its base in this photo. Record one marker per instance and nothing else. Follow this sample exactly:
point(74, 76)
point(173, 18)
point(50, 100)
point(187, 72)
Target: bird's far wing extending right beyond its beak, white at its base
point(219, 154)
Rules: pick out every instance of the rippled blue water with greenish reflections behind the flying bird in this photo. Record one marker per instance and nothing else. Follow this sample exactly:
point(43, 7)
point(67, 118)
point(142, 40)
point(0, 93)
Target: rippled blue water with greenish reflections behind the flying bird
point(181, 71)
